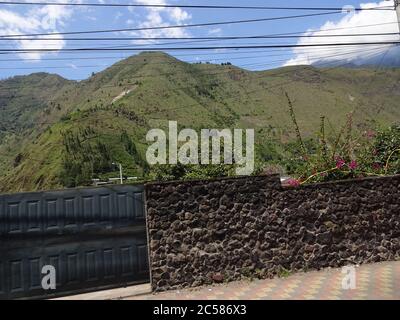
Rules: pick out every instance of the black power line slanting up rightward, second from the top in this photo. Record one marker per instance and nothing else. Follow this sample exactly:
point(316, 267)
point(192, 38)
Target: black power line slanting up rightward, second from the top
point(176, 26)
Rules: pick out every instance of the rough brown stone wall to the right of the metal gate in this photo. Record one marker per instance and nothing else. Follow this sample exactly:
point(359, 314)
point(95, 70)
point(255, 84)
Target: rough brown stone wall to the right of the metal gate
point(202, 232)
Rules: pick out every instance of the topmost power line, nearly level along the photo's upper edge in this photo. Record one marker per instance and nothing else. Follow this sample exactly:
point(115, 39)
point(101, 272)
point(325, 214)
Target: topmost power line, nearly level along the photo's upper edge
point(166, 6)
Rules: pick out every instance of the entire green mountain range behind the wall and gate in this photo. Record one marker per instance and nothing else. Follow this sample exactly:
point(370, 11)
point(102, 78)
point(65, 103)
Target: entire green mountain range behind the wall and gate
point(60, 133)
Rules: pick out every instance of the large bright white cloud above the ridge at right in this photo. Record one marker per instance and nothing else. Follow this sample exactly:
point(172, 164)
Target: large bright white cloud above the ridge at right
point(384, 22)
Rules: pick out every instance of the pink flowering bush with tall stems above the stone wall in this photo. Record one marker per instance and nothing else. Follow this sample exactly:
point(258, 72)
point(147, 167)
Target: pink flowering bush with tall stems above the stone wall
point(350, 153)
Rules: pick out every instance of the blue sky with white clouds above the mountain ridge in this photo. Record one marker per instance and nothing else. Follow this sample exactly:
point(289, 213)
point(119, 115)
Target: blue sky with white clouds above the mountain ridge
point(26, 19)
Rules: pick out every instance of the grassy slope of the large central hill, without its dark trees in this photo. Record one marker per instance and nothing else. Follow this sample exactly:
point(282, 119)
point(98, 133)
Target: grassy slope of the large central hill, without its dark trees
point(198, 96)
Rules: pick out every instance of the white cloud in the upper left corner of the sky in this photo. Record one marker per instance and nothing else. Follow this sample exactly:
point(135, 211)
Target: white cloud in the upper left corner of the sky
point(37, 19)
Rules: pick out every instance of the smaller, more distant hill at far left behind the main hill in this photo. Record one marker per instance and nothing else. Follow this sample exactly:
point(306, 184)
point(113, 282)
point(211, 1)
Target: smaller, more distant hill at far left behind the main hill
point(27, 105)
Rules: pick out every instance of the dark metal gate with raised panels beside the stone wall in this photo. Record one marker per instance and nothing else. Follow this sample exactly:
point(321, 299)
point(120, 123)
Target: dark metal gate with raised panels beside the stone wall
point(94, 238)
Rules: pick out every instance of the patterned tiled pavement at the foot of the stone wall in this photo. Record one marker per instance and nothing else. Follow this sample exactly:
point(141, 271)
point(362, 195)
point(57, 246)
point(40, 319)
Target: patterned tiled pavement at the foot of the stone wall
point(375, 281)
